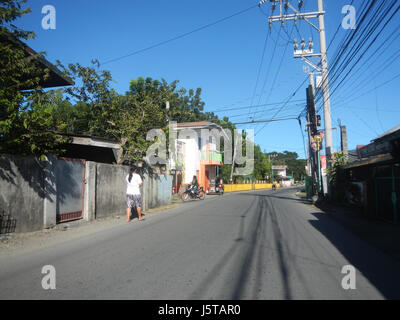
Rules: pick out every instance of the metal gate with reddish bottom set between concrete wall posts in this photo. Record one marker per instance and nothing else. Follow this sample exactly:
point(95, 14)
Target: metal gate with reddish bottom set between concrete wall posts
point(70, 186)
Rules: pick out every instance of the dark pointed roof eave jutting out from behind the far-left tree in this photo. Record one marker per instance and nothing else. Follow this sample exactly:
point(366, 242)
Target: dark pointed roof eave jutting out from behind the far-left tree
point(56, 77)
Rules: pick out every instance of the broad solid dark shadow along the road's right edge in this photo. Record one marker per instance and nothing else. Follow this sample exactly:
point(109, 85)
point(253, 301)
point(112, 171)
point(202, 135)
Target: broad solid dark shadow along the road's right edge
point(382, 271)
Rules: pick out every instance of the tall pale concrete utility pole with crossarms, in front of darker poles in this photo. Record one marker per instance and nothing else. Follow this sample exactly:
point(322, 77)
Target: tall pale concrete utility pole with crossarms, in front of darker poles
point(305, 54)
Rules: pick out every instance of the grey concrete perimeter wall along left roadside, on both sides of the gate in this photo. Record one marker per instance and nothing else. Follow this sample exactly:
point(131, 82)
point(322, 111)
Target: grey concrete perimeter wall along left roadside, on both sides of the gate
point(28, 191)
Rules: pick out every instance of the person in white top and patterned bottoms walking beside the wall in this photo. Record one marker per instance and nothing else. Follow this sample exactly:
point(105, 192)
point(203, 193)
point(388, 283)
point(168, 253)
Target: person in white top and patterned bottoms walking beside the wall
point(133, 196)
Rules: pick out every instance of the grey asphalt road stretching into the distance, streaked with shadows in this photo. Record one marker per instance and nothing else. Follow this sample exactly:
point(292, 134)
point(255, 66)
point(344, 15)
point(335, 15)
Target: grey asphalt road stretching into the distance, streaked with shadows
point(248, 245)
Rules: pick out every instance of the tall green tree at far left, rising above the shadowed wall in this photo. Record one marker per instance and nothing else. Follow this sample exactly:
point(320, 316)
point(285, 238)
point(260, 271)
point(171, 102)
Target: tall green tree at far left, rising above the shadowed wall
point(25, 109)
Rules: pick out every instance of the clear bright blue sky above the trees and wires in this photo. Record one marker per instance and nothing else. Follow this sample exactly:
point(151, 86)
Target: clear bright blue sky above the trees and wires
point(225, 60)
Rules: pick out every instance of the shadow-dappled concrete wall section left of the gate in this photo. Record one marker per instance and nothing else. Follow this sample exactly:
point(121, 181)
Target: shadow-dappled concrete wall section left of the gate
point(22, 193)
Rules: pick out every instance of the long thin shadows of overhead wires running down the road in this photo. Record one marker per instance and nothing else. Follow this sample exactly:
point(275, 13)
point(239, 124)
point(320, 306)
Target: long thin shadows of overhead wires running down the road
point(248, 251)
